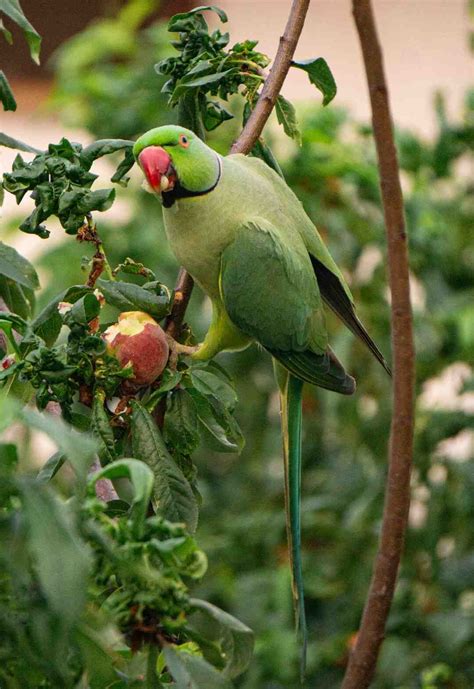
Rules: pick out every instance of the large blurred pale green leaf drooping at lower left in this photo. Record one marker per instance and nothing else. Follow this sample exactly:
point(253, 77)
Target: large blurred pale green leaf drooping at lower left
point(63, 561)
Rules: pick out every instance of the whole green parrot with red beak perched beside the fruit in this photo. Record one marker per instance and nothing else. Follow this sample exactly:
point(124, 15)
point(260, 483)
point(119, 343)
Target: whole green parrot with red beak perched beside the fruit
point(245, 238)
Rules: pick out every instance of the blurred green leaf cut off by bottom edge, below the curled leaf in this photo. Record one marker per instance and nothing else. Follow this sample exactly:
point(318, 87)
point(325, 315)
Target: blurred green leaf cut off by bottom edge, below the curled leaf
point(192, 672)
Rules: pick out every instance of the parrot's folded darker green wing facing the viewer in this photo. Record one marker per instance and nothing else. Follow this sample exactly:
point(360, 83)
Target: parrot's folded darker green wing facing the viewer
point(270, 292)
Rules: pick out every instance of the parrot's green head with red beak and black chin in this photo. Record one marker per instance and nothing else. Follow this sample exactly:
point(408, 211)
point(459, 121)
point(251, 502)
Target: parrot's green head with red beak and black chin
point(176, 163)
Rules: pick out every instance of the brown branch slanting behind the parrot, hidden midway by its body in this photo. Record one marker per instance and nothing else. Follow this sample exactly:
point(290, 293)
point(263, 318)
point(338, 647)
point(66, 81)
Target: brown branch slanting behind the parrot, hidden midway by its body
point(249, 135)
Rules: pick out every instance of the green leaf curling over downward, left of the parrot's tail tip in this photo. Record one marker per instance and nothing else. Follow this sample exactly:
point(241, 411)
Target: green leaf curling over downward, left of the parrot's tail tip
point(236, 639)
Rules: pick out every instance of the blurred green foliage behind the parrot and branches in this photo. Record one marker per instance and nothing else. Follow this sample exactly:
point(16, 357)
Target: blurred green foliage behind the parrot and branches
point(430, 636)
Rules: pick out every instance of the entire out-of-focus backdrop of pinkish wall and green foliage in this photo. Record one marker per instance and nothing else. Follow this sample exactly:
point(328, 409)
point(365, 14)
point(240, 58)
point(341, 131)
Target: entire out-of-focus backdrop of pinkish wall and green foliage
point(97, 80)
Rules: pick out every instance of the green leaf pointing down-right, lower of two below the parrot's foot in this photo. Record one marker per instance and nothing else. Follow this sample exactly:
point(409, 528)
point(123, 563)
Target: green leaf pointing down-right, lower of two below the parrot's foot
point(221, 431)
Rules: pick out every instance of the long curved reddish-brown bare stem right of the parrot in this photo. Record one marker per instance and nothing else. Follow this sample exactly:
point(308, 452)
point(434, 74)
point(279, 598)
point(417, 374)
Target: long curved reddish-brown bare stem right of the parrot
point(362, 661)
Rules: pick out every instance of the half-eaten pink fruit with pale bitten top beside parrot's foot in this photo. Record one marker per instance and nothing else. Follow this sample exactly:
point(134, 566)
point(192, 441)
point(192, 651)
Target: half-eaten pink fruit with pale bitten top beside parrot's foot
point(147, 350)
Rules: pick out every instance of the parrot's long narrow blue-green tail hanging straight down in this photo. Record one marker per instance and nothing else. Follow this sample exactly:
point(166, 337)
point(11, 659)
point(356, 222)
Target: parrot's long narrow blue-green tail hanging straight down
point(291, 394)
